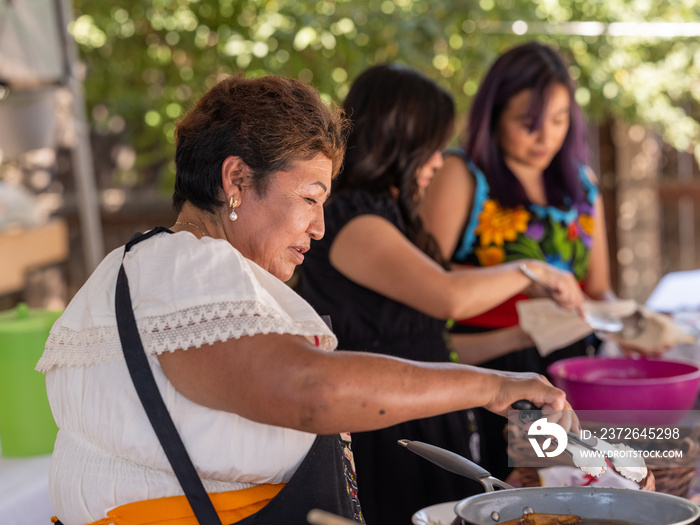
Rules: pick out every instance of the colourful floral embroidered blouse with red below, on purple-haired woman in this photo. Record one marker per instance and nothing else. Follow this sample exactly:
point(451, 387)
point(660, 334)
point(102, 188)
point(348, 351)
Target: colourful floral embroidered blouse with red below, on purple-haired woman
point(494, 235)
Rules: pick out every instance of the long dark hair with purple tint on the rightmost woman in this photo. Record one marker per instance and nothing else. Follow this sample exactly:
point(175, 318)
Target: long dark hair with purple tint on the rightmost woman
point(537, 67)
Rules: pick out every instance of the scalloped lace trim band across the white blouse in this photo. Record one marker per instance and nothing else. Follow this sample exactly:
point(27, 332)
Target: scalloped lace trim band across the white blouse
point(183, 329)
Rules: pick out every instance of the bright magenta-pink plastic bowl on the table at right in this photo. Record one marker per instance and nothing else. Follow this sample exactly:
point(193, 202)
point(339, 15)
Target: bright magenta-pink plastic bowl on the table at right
point(598, 383)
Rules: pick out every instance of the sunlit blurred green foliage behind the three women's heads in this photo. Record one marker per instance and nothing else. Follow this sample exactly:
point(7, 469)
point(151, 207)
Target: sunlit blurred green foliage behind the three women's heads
point(147, 59)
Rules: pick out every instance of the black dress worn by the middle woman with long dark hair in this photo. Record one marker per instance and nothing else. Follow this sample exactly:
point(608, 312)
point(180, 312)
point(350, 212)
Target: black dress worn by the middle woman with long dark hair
point(393, 483)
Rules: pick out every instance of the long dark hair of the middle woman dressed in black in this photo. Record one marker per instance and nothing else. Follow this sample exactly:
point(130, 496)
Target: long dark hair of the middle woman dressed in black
point(399, 119)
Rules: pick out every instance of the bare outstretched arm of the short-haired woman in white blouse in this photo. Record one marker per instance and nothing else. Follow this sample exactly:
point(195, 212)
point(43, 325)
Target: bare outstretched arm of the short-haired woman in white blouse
point(282, 380)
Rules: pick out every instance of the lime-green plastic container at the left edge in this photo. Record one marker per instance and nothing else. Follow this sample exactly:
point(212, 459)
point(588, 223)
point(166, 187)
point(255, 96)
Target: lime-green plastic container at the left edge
point(27, 427)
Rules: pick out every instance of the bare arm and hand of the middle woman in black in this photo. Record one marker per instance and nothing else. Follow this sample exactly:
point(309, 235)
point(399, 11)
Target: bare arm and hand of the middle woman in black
point(373, 253)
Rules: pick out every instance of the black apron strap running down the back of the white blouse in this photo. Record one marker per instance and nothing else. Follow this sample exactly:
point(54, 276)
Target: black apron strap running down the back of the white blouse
point(152, 401)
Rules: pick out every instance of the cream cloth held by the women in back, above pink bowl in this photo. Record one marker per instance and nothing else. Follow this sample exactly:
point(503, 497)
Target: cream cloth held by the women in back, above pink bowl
point(552, 327)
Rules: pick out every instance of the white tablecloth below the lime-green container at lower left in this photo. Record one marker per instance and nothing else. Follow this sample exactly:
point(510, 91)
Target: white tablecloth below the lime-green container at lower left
point(24, 491)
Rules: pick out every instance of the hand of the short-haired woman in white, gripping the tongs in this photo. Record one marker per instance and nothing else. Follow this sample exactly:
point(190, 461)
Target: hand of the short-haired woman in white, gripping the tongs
point(514, 386)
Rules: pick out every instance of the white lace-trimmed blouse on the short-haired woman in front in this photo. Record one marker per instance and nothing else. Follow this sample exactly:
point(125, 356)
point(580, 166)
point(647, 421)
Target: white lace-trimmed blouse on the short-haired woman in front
point(186, 293)
